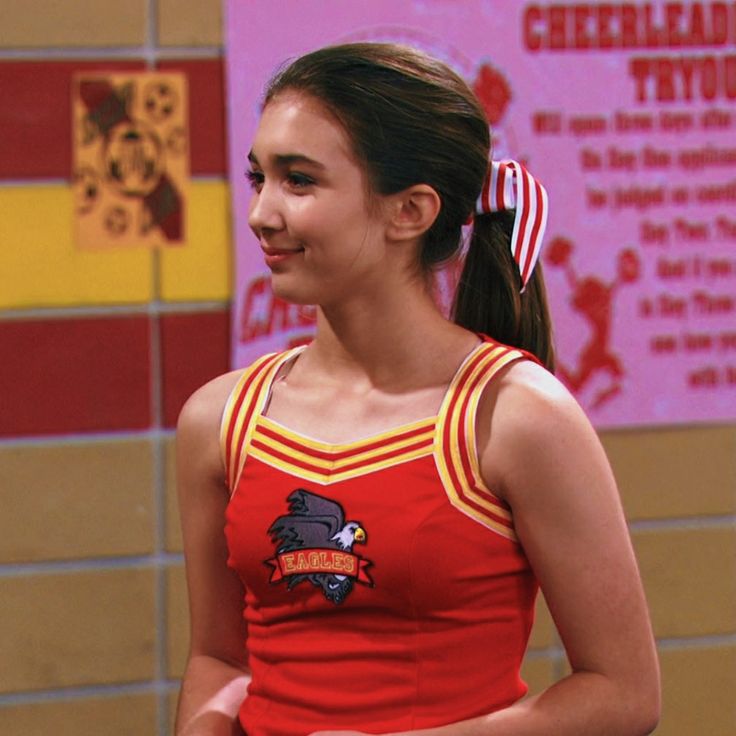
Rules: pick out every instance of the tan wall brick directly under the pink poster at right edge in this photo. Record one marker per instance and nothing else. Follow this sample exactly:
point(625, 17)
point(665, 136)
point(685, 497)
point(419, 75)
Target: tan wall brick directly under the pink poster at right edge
point(667, 473)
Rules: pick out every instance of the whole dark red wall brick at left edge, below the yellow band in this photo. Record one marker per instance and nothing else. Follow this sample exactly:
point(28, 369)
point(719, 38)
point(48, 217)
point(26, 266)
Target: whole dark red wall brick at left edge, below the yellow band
point(74, 375)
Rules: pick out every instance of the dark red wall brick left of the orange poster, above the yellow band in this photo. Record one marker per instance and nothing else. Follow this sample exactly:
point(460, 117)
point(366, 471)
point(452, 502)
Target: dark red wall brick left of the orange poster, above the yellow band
point(35, 115)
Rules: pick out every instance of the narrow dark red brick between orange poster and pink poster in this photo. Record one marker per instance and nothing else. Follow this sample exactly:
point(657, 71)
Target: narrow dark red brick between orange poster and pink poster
point(206, 112)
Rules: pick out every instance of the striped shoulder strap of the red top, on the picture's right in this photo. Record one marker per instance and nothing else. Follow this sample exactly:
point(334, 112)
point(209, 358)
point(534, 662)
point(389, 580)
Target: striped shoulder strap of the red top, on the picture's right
point(455, 444)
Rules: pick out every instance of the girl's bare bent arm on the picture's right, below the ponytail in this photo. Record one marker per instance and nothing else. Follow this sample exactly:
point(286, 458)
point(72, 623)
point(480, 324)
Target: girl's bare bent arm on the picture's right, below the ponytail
point(541, 454)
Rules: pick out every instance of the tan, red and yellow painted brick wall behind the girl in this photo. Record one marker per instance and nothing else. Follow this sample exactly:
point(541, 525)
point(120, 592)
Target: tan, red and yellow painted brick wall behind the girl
point(101, 349)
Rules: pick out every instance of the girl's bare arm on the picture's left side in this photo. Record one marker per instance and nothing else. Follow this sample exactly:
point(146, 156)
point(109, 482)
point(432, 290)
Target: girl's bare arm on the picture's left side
point(216, 675)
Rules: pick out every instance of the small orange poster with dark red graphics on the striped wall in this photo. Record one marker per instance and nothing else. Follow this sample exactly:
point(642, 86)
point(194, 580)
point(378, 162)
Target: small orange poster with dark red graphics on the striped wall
point(131, 158)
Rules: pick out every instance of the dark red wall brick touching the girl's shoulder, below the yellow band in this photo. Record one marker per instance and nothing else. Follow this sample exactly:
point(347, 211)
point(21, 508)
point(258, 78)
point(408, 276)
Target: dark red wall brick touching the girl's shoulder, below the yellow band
point(195, 348)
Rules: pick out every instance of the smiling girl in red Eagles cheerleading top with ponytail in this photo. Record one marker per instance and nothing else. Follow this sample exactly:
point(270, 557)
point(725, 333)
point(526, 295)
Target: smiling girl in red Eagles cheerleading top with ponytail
point(394, 493)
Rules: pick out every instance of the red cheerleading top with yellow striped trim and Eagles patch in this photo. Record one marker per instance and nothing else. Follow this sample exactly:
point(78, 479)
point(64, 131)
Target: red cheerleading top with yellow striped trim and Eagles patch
point(385, 587)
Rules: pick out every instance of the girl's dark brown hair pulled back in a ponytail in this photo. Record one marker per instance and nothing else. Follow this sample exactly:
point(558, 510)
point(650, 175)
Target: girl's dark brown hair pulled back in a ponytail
point(411, 120)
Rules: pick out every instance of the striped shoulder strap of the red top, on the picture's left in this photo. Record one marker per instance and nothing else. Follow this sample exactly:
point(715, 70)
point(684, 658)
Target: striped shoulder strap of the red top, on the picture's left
point(242, 408)
